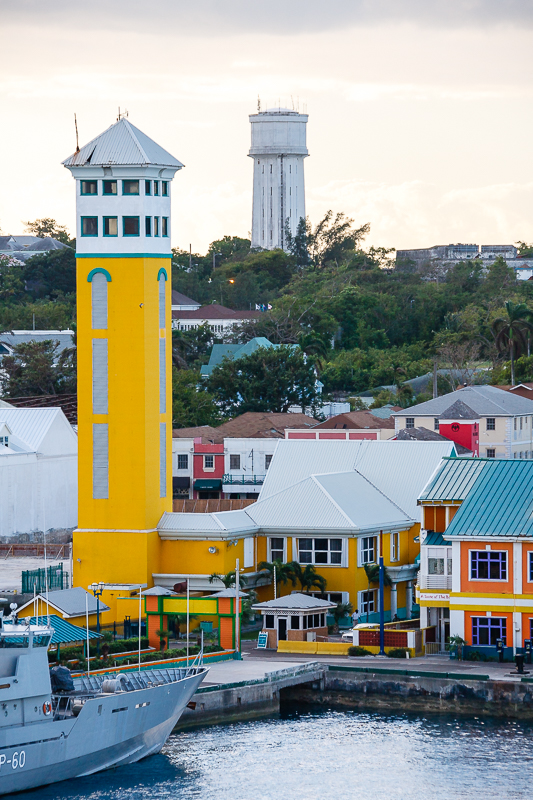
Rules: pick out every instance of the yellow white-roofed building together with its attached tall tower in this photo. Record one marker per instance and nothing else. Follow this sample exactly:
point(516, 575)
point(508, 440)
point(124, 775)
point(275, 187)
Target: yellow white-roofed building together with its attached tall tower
point(336, 505)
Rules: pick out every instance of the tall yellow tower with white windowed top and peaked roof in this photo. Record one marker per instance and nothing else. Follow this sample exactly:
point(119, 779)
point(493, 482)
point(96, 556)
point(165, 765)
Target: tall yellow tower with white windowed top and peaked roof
point(123, 181)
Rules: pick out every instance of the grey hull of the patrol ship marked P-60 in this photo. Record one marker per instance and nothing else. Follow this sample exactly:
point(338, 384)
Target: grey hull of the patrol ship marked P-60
point(110, 731)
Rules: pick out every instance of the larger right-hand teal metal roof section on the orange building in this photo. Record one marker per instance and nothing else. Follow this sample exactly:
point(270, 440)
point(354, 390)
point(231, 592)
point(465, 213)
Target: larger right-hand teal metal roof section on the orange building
point(500, 503)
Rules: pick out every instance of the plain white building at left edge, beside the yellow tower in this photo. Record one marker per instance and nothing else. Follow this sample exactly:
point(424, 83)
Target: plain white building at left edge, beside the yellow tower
point(38, 471)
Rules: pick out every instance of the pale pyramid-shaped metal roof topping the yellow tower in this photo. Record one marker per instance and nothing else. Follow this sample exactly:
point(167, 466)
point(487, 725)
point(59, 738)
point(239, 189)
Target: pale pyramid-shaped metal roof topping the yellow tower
point(122, 143)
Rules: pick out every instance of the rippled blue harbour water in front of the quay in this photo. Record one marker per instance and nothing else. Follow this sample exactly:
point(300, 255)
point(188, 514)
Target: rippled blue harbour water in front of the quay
point(326, 755)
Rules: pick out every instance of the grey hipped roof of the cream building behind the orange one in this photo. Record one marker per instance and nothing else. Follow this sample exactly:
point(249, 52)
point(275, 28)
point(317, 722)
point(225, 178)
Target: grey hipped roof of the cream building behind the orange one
point(483, 400)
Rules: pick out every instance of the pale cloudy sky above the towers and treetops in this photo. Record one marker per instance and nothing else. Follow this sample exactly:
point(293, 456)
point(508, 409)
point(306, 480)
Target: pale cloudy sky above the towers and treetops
point(420, 111)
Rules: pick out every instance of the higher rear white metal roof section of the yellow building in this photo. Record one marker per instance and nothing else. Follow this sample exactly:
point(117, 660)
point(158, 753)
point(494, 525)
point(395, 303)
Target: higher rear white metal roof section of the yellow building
point(399, 470)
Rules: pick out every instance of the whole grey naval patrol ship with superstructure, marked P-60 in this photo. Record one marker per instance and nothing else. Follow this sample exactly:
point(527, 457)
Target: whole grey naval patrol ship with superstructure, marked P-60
point(95, 722)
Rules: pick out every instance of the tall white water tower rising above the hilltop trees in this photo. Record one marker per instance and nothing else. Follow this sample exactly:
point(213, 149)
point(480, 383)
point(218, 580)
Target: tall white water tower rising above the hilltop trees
point(278, 149)
